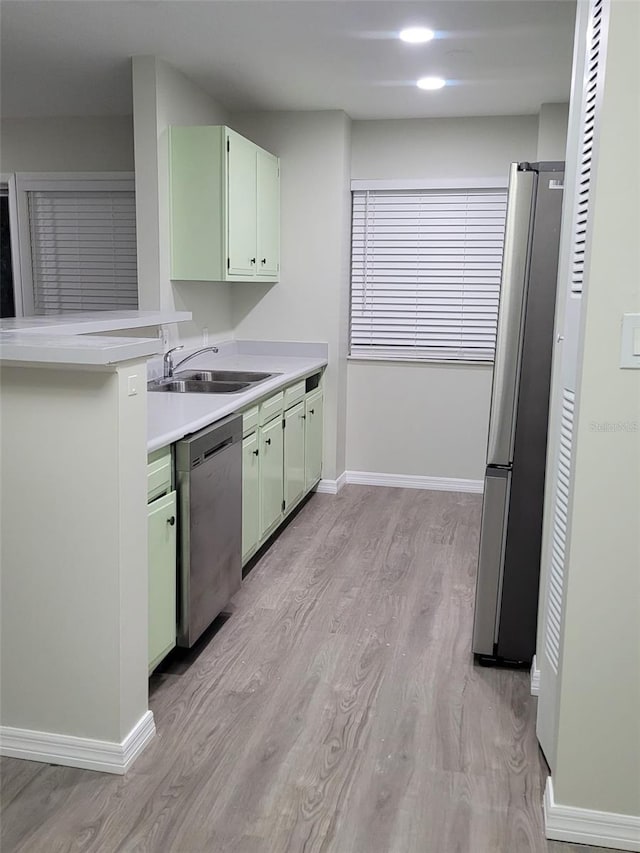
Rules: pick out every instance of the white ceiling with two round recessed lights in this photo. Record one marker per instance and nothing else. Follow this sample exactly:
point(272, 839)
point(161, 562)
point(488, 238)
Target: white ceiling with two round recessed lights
point(71, 57)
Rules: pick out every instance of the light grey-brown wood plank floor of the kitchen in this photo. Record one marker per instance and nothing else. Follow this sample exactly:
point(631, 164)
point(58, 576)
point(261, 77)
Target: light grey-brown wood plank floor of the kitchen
point(337, 710)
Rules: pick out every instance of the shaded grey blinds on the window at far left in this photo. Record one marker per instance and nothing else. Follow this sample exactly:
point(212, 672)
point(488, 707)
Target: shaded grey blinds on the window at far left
point(83, 249)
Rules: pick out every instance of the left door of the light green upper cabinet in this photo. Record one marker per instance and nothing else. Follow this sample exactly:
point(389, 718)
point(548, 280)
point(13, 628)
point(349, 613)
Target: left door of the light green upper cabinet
point(241, 206)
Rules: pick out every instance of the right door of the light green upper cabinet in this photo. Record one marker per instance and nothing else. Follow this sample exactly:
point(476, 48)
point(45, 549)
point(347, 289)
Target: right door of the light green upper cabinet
point(268, 213)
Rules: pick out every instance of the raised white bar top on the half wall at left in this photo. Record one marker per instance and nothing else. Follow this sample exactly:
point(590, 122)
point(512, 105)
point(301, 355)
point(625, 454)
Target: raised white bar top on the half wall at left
point(69, 340)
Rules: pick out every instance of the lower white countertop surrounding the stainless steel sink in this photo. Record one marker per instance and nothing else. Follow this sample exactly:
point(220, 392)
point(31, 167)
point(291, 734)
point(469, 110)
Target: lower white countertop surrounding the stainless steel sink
point(171, 416)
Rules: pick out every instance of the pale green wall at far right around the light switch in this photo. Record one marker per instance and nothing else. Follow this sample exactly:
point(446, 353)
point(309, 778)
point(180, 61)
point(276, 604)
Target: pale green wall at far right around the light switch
point(598, 743)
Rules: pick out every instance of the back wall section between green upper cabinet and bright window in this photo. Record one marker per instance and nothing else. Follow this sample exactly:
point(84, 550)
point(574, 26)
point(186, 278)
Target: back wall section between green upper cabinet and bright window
point(310, 302)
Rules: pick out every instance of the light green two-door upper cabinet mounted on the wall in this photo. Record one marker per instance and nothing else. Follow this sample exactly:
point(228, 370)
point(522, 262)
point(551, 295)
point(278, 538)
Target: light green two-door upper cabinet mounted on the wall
point(224, 206)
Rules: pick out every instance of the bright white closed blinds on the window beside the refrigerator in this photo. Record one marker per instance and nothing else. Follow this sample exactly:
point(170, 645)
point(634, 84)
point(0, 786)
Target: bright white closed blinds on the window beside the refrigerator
point(425, 273)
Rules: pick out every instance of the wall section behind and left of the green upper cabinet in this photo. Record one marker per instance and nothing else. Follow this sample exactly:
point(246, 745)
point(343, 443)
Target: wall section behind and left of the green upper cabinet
point(162, 96)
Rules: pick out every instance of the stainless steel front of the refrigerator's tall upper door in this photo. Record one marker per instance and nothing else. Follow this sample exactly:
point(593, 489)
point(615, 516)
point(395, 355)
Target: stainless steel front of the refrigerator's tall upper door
point(513, 287)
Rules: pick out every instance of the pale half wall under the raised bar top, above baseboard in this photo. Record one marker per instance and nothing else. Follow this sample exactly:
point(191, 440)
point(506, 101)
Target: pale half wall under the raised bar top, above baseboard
point(74, 551)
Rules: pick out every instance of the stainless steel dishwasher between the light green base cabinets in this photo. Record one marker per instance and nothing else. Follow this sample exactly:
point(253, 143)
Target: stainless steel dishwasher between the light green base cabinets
point(209, 480)
